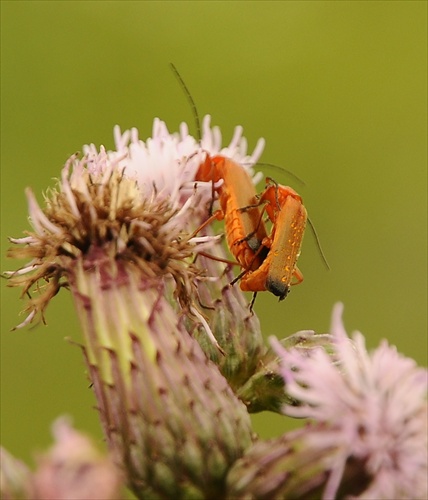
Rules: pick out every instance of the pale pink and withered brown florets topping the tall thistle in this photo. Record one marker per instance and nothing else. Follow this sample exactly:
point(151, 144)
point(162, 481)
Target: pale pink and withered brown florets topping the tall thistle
point(139, 202)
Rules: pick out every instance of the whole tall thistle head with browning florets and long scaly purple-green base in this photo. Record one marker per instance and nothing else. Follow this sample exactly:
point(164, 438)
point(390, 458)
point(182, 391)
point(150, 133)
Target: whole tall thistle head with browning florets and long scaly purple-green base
point(120, 231)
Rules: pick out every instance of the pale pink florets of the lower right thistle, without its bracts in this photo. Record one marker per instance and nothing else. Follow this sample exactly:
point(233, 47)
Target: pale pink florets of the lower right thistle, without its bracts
point(371, 408)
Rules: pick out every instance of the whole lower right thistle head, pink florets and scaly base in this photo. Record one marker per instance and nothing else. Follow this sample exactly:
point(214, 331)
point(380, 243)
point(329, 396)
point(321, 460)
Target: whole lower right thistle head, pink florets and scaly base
point(367, 434)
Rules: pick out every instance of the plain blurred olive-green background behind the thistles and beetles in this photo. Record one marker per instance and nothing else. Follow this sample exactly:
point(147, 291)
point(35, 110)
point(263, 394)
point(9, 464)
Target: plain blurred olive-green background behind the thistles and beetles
point(338, 89)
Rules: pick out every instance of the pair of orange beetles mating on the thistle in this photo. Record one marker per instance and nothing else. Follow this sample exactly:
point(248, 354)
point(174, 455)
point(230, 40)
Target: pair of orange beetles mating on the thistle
point(268, 261)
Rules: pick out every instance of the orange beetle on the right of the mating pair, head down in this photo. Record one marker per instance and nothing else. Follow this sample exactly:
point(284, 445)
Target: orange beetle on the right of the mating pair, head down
point(277, 271)
